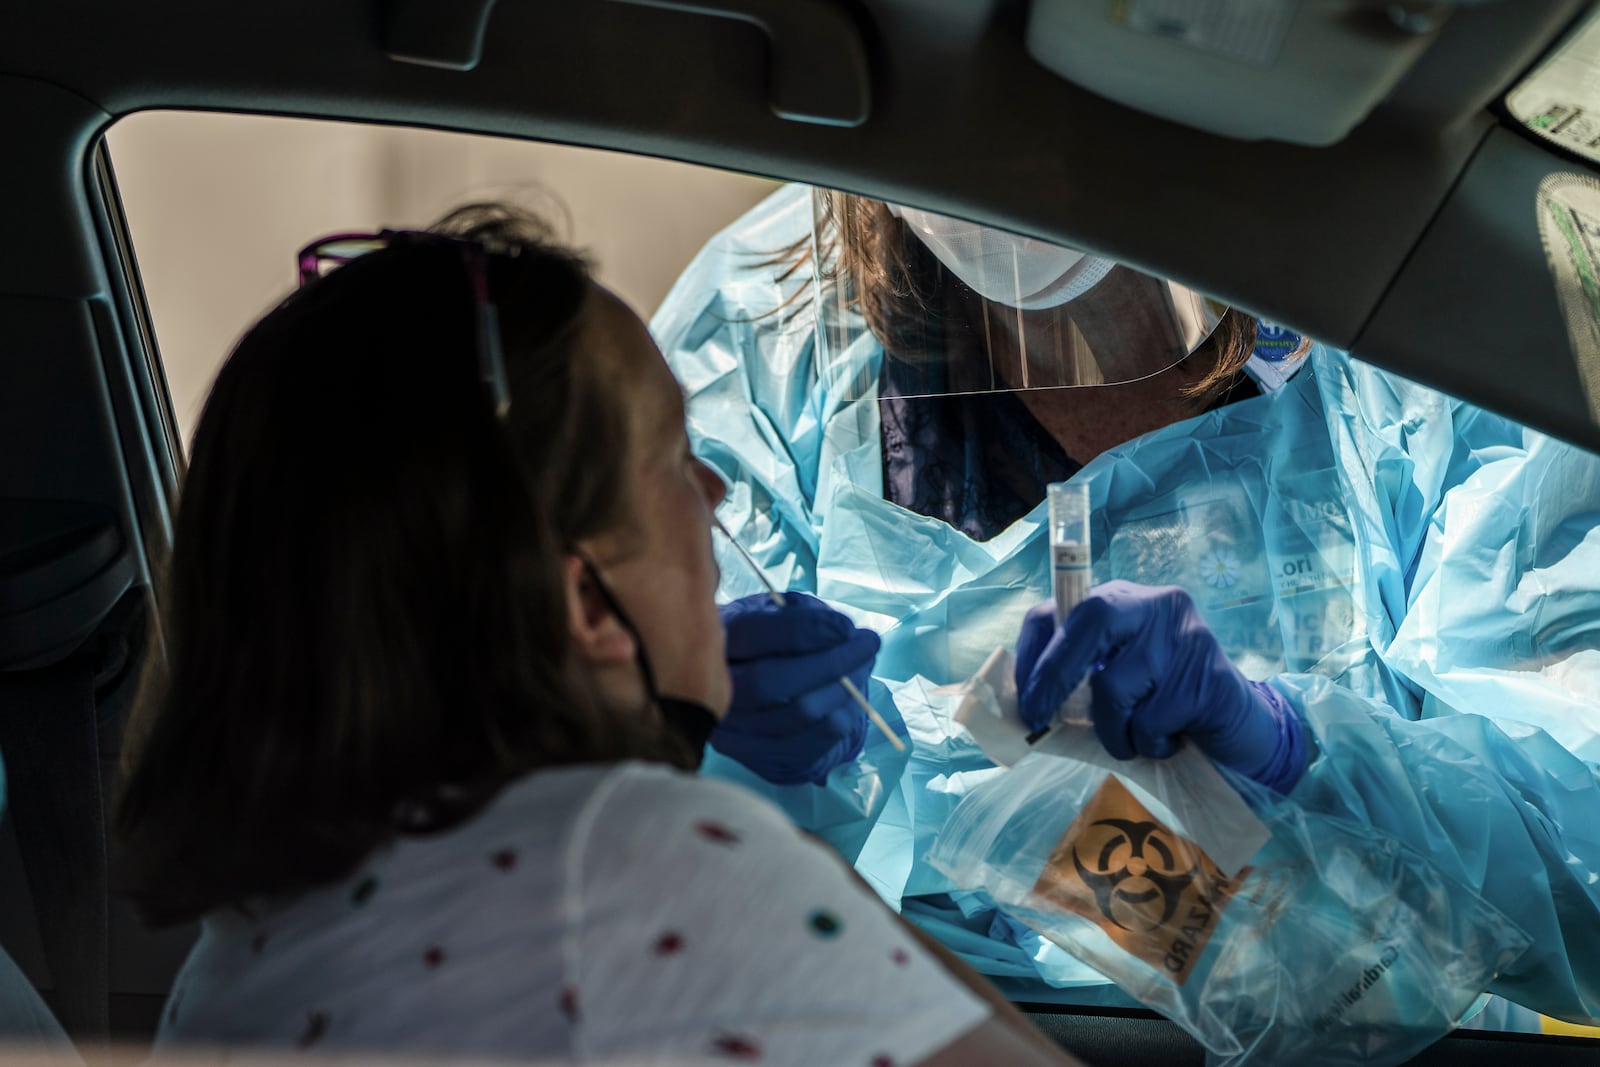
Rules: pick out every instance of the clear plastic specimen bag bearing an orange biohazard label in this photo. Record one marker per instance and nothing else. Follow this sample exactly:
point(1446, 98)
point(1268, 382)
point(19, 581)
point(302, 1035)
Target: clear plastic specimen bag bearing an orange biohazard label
point(1335, 945)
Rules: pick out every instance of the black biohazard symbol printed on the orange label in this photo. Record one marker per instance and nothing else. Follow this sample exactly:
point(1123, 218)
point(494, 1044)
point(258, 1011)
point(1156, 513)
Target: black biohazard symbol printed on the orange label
point(1134, 868)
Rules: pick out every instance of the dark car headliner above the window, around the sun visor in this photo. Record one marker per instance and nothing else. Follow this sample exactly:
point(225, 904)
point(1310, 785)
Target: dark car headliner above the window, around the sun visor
point(958, 119)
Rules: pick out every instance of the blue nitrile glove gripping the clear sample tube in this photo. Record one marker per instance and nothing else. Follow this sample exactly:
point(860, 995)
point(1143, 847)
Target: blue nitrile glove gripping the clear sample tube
point(1158, 674)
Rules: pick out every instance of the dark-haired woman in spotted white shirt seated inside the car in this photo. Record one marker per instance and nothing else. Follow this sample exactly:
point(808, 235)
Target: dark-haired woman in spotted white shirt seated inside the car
point(439, 649)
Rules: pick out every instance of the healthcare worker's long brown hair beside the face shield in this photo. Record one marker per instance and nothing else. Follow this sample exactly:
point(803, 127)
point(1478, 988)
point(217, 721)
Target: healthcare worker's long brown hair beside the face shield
point(897, 284)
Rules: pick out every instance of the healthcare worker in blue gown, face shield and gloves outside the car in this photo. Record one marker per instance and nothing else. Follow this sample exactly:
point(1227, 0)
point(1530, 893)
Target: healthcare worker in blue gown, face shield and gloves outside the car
point(1390, 601)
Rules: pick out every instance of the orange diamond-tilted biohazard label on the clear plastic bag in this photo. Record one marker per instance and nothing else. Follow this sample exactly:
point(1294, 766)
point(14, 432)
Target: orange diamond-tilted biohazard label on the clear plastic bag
point(1153, 892)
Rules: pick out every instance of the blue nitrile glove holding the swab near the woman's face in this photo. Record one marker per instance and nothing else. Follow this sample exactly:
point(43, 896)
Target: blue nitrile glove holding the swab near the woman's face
point(791, 719)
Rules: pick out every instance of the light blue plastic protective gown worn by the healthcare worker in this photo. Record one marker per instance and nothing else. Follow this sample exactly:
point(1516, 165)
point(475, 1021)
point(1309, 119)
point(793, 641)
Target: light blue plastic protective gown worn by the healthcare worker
point(1422, 578)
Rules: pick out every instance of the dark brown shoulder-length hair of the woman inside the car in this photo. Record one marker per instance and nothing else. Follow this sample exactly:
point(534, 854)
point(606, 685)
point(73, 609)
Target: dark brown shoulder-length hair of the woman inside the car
point(364, 612)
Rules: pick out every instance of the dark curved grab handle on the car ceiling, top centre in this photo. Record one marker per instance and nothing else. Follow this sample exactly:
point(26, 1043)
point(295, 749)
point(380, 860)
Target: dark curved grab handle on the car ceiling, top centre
point(818, 55)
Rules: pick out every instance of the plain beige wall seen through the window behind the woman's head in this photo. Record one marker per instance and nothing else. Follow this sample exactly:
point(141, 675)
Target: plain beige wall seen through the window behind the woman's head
point(218, 206)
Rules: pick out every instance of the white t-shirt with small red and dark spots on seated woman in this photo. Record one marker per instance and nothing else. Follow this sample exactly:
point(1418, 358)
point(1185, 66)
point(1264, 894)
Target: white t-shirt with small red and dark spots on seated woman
point(588, 914)
